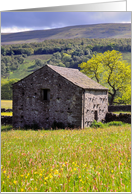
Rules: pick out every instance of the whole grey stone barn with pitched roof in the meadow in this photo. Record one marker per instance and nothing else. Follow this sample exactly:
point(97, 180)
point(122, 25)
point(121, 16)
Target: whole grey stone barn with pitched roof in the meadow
point(58, 95)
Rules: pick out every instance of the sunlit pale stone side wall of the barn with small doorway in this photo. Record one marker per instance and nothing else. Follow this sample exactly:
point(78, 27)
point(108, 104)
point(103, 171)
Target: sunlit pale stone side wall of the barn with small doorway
point(96, 106)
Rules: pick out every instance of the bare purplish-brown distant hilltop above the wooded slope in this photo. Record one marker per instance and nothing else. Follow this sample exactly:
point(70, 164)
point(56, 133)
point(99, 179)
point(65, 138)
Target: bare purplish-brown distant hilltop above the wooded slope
point(82, 31)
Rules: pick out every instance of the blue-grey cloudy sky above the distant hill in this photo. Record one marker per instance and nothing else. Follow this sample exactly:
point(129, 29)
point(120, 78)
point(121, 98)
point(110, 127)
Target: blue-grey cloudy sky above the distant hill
point(25, 21)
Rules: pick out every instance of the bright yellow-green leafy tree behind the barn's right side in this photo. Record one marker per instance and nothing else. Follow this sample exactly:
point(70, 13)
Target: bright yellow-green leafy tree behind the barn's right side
point(111, 71)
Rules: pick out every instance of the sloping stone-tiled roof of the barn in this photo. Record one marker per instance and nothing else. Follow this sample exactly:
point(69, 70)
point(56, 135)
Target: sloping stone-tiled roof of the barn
point(77, 78)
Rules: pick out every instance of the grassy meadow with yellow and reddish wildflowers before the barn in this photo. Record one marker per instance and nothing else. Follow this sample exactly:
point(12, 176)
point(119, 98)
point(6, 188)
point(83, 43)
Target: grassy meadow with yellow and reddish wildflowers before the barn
point(89, 160)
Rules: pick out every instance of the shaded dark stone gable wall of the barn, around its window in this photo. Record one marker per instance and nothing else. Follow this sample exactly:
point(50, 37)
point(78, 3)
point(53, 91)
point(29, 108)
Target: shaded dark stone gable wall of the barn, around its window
point(63, 106)
